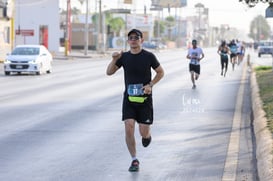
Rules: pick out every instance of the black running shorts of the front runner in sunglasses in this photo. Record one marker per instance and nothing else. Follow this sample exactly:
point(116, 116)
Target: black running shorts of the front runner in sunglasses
point(141, 112)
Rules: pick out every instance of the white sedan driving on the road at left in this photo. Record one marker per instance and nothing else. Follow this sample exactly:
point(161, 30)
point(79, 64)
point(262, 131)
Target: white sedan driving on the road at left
point(28, 58)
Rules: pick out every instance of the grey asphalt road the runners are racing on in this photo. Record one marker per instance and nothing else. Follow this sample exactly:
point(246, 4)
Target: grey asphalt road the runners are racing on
point(67, 125)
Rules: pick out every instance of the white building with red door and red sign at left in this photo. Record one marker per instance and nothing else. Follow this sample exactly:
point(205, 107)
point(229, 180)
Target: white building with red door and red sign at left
point(37, 22)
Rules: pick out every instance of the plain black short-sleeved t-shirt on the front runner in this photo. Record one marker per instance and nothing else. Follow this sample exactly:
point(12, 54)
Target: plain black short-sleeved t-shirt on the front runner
point(137, 67)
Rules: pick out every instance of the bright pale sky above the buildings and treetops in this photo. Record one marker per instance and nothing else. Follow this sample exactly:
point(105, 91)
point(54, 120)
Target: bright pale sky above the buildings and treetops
point(231, 12)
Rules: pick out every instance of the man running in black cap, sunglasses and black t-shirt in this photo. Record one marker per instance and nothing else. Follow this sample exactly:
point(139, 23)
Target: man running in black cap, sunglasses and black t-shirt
point(137, 100)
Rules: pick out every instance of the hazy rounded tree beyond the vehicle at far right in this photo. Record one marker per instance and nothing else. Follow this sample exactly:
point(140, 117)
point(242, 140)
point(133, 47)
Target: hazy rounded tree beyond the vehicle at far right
point(259, 29)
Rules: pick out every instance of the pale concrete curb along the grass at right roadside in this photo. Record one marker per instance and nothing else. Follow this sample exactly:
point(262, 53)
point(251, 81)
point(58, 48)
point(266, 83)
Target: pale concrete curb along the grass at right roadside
point(264, 141)
